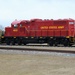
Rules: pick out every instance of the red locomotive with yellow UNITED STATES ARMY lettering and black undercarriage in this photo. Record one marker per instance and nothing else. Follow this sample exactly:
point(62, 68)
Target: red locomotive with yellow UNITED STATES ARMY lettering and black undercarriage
point(53, 32)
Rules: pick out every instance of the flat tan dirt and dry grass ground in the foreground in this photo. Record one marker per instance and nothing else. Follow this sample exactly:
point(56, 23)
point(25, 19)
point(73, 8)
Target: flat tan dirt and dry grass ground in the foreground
point(26, 64)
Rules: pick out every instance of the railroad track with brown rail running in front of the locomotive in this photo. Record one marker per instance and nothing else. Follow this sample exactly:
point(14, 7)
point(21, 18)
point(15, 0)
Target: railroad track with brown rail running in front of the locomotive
point(40, 48)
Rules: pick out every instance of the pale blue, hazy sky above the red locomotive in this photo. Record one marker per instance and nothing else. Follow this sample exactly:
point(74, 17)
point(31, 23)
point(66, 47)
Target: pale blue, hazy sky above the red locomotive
point(29, 9)
